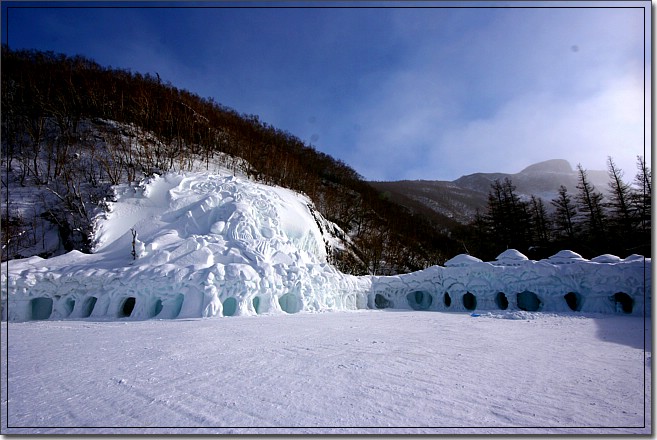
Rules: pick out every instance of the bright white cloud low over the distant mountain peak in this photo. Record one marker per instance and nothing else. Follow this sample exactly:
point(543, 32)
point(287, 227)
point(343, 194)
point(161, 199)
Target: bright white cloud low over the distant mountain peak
point(541, 126)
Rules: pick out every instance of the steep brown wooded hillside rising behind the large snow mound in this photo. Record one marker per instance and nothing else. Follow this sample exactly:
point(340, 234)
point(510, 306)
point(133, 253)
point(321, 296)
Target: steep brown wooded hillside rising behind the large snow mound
point(73, 128)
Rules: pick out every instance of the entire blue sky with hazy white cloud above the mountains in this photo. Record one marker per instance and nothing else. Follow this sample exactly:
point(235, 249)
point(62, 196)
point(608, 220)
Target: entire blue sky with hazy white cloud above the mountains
point(430, 90)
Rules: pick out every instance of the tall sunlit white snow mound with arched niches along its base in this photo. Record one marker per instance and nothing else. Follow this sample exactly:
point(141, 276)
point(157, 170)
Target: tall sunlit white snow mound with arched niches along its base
point(205, 245)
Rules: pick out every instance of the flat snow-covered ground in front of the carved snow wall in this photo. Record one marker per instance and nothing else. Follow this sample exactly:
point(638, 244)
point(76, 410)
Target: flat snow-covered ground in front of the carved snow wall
point(368, 371)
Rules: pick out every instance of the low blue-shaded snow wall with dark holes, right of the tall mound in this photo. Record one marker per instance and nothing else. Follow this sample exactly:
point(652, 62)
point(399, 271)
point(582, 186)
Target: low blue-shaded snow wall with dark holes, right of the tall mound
point(565, 282)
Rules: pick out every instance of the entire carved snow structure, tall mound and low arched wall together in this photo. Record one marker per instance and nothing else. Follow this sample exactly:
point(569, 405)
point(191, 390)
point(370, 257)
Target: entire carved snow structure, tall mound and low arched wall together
point(205, 245)
